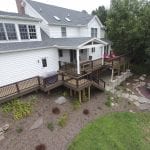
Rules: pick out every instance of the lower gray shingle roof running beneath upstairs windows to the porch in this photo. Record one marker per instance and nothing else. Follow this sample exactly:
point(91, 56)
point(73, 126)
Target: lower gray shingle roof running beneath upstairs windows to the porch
point(45, 43)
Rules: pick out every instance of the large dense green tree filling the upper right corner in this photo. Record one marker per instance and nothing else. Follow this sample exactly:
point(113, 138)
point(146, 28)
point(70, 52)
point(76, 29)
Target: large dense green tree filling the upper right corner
point(128, 27)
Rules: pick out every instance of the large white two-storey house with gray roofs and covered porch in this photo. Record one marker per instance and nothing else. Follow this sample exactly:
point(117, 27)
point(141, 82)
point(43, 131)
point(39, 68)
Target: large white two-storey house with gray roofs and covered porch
point(43, 39)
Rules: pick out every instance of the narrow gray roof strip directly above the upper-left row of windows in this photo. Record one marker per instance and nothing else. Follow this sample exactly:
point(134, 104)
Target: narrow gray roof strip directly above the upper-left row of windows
point(12, 14)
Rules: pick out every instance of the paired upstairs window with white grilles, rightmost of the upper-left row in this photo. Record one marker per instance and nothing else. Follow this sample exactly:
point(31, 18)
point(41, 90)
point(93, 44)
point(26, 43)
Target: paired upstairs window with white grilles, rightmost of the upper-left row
point(27, 32)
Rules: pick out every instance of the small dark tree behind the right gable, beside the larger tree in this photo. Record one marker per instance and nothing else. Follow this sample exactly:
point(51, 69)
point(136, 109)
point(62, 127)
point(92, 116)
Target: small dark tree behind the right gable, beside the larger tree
point(101, 12)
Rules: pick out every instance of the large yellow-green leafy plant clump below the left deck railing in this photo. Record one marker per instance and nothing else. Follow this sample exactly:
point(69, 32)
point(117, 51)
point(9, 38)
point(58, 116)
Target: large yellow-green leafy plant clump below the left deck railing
point(19, 109)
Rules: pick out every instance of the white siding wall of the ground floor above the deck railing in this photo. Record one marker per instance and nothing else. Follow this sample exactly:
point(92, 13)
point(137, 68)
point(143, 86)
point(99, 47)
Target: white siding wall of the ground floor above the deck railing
point(22, 65)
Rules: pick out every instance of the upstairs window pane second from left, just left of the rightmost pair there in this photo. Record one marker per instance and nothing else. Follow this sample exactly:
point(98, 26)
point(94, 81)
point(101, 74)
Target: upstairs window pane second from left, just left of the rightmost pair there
point(11, 31)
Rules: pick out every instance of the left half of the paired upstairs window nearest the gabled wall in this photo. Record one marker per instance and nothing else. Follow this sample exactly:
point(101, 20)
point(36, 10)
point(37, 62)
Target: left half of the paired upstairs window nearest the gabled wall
point(23, 32)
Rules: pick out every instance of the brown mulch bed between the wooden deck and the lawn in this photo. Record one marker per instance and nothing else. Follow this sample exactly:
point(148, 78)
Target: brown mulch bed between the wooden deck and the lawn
point(59, 138)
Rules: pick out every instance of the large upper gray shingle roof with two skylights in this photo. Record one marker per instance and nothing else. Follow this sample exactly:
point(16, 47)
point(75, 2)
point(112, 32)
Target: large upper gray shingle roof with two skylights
point(49, 11)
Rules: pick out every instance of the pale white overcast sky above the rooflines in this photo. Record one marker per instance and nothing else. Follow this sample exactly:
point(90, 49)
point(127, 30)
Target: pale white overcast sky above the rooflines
point(88, 5)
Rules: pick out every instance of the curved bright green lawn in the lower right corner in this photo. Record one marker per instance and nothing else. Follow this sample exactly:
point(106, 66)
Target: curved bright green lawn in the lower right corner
point(116, 131)
